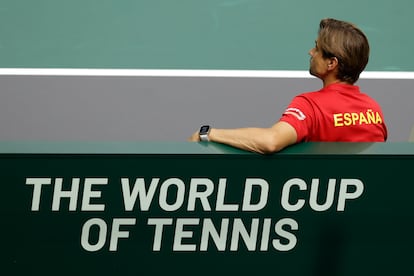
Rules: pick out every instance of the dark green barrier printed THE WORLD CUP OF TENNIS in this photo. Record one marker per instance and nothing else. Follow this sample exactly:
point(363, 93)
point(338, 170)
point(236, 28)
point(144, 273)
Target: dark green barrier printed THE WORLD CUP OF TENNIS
point(193, 208)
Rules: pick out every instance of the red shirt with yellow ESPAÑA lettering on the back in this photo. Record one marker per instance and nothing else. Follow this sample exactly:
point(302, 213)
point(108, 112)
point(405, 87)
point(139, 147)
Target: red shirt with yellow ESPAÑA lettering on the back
point(338, 112)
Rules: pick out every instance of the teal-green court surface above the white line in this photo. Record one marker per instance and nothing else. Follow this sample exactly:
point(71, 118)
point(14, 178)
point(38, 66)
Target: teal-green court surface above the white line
point(193, 34)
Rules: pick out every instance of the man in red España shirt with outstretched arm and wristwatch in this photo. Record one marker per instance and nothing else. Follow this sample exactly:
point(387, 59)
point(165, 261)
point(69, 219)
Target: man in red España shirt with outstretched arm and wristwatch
point(338, 112)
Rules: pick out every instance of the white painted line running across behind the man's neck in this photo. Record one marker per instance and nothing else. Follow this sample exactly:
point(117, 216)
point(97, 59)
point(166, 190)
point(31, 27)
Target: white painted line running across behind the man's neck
point(188, 73)
